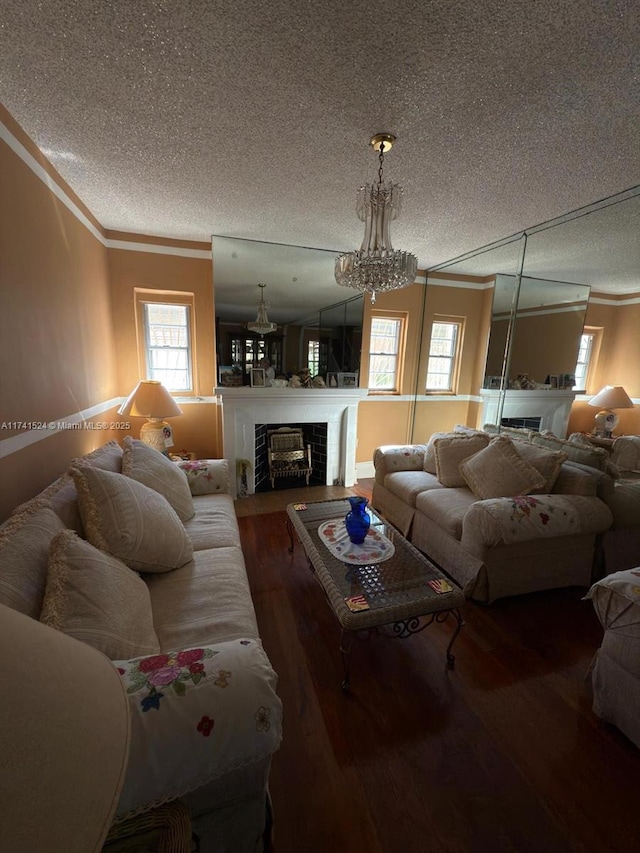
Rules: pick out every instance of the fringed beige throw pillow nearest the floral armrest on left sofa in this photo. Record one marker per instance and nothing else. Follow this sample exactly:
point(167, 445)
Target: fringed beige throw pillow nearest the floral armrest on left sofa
point(95, 598)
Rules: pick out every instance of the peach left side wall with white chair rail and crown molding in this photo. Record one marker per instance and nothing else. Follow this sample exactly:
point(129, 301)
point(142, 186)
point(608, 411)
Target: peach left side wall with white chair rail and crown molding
point(56, 338)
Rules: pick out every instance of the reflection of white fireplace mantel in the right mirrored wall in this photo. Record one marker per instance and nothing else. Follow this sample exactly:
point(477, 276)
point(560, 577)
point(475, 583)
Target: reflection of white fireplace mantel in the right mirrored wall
point(553, 406)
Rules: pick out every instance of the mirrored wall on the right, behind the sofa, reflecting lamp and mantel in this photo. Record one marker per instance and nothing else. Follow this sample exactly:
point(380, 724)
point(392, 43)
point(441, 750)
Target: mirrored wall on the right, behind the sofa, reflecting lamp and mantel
point(550, 285)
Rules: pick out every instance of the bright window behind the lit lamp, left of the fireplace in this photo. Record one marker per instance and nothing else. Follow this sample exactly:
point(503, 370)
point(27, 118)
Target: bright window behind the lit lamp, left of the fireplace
point(167, 344)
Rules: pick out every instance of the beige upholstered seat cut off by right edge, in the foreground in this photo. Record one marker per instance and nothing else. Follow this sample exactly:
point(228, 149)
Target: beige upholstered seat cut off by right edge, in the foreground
point(615, 671)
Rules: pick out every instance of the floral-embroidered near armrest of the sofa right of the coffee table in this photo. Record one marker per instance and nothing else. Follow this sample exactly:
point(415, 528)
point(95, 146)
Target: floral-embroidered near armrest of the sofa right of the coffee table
point(503, 521)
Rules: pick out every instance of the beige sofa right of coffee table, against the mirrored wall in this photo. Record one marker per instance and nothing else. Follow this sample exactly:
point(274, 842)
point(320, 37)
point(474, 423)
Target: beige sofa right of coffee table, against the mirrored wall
point(534, 535)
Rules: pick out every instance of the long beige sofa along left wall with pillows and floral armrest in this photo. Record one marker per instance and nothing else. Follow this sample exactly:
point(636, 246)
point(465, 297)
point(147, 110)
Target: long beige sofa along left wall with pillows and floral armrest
point(142, 560)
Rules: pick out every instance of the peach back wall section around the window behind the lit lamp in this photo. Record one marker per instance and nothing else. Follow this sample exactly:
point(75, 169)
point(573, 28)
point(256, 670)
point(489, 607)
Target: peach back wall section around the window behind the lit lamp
point(198, 428)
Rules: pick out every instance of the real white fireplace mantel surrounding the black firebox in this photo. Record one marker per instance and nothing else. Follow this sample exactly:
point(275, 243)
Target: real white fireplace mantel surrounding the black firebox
point(243, 408)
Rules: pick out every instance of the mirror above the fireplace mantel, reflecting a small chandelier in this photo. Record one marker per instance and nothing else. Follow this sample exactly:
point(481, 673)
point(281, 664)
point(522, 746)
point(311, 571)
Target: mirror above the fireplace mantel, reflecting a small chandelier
point(315, 324)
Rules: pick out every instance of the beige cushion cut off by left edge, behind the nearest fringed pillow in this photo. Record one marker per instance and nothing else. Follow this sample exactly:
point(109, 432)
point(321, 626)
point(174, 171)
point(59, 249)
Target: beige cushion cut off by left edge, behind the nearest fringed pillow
point(24, 553)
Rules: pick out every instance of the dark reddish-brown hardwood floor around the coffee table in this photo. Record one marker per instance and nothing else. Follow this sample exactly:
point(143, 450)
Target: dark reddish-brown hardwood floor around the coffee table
point(501, 754)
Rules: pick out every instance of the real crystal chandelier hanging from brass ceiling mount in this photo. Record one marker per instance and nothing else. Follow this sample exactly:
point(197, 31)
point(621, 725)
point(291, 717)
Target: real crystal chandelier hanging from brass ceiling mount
point(377, 266)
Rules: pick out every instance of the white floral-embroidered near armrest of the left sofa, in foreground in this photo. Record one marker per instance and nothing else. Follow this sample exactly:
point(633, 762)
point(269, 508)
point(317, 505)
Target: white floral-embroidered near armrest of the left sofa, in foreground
point(196, 714)
